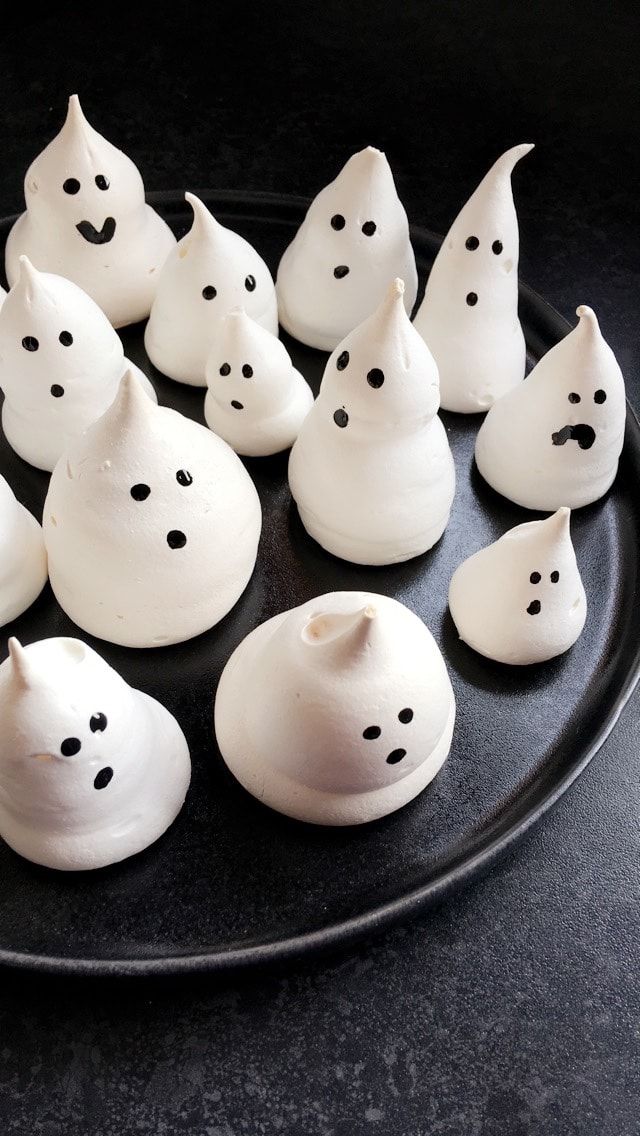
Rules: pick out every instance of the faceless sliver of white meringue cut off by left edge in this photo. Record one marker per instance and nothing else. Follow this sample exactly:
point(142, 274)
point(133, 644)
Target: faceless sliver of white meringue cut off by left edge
point(23, 559)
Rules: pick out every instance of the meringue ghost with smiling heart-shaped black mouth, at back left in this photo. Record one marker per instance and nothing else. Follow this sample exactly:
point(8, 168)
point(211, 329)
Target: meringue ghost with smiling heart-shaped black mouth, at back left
point(87, 220)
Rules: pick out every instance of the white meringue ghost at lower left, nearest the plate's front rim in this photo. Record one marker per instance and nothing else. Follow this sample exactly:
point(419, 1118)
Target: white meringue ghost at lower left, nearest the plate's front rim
point(92, 771)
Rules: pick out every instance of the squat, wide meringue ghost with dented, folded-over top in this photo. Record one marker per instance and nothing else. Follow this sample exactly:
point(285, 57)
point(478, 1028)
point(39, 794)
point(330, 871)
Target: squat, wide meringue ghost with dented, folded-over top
point(337, 713)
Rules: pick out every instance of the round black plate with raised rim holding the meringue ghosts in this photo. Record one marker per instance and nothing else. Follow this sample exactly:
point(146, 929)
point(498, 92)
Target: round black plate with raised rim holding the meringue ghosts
point(234, 884)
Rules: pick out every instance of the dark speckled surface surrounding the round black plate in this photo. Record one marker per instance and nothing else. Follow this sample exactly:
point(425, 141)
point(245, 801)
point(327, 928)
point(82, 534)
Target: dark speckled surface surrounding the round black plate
point(514, 1008)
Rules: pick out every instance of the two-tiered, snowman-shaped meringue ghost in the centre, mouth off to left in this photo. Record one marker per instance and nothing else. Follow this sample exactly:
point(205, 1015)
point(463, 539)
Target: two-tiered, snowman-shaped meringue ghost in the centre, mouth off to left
point(371, 472)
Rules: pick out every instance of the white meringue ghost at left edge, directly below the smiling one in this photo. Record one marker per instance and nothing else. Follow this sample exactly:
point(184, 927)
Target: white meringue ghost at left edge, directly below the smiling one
point(61, 365)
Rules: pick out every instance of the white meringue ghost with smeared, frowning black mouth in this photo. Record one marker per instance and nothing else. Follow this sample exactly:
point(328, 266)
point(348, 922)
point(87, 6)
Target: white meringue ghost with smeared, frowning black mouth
point(558, 438)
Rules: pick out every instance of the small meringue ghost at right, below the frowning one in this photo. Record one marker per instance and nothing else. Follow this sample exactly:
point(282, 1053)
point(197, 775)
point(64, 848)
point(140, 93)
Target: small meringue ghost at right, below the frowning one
point(521, 600)
